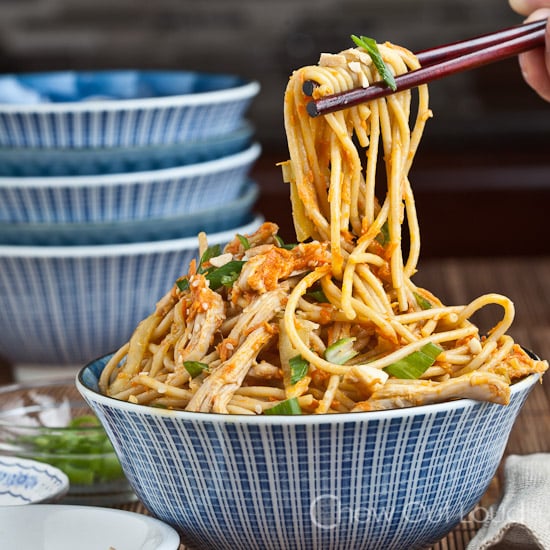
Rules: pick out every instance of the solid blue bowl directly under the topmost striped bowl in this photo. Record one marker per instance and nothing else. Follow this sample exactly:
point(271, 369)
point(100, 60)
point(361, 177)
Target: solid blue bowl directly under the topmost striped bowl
point(31, 162)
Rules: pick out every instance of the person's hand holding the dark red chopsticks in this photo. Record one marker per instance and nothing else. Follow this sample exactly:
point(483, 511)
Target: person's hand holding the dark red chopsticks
point(535, 64)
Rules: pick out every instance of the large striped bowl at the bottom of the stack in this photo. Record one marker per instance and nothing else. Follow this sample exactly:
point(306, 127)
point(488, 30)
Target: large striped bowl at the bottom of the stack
point(64, 305)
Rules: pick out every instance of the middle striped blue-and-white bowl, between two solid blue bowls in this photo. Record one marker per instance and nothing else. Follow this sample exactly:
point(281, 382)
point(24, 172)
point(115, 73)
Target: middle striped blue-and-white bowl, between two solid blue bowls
point(127, 196)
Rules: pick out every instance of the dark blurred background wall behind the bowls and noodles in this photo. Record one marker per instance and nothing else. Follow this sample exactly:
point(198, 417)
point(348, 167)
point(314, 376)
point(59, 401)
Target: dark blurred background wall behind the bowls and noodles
point(490, 131)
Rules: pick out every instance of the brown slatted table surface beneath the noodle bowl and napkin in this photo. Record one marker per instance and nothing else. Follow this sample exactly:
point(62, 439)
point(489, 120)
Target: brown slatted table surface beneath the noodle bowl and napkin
point(526, 280)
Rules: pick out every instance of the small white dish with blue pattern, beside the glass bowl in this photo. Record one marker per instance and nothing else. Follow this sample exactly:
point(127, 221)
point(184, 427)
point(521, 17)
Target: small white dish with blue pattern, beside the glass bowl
point(24, 481)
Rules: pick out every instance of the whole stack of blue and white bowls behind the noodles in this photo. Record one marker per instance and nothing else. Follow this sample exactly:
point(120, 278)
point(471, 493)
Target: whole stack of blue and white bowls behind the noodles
point(106, 178)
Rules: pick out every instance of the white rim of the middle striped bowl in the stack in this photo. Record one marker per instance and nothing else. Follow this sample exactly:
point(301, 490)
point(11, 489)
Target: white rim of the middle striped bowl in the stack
point(247, 156)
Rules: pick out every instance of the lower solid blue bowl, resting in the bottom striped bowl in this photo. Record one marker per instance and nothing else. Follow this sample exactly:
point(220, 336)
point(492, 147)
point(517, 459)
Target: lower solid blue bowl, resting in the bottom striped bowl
point(211, 220)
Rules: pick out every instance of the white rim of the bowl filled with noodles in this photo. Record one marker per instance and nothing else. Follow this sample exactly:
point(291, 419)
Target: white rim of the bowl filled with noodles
point(281, 420)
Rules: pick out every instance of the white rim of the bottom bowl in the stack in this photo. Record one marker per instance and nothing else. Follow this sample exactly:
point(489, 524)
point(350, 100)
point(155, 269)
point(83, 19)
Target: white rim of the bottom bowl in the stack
point(125, 249)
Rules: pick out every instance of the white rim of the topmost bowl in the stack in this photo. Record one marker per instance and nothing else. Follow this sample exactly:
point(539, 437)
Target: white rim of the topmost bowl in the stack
point(245, 89)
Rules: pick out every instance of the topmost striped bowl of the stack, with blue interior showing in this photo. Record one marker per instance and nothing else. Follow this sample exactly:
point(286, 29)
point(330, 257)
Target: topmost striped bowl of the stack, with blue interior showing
point(123, 108)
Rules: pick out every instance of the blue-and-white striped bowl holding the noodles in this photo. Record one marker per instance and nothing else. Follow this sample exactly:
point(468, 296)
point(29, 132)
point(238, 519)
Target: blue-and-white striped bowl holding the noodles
point(399, 479)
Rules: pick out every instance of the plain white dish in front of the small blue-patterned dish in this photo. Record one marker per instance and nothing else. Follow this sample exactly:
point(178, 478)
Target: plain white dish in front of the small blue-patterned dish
point(66, 527)
